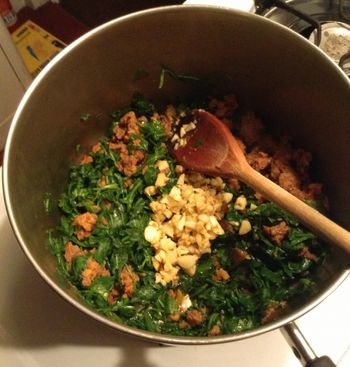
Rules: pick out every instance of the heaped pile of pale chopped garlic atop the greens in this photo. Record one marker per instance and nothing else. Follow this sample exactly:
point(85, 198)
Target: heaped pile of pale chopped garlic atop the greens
point(186, 220)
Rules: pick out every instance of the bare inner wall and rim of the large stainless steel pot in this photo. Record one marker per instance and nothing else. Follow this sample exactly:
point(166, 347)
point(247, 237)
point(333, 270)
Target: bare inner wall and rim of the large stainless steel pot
point(285, 79)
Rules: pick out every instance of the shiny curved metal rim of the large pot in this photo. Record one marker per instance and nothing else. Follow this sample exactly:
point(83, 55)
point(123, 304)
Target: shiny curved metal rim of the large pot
point(146, 335)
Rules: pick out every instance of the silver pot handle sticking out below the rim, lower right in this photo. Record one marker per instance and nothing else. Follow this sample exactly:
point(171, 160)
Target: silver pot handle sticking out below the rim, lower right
point(302, 349)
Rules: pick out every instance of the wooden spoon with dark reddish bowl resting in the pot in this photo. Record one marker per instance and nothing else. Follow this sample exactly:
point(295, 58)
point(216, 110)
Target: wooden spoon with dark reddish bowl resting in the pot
point(212, 149)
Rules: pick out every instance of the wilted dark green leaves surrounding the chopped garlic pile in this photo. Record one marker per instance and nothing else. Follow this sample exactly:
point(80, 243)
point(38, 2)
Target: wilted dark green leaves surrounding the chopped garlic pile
point(264, 276)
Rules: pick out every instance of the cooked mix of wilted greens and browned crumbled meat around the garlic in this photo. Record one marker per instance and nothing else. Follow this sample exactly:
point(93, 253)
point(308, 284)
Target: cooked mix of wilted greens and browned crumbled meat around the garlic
point(250, 276)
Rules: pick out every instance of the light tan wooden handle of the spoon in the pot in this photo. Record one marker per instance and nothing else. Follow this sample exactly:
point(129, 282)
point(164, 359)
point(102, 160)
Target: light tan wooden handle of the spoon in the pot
point(311, 218)
